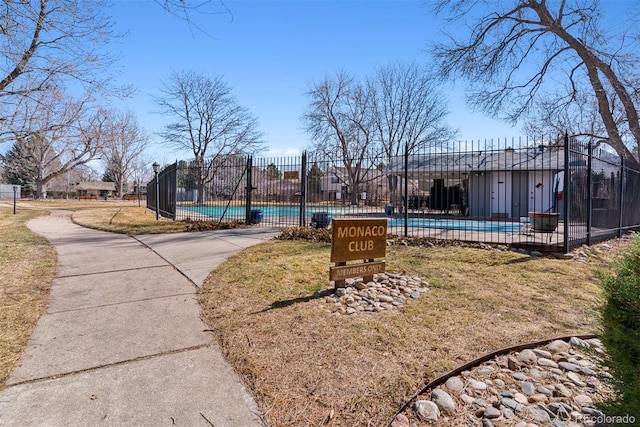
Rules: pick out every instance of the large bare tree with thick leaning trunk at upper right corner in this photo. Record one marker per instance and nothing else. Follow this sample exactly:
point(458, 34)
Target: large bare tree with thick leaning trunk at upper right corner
point(517, 50)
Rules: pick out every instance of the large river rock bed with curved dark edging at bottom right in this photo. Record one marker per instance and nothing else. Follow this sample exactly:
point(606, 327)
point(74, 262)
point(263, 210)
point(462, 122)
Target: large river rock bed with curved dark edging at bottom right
point(553, 385)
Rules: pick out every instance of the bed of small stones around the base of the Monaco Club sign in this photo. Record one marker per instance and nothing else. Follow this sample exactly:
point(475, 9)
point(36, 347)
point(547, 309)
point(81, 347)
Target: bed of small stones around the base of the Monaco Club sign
point(387, 291)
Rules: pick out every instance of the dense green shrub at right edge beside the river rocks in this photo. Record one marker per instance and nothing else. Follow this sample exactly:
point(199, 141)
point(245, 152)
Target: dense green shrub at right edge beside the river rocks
point(621, 331)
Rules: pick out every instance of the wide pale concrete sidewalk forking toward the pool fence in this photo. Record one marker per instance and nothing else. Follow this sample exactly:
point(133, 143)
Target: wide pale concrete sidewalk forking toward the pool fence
point(121, 342)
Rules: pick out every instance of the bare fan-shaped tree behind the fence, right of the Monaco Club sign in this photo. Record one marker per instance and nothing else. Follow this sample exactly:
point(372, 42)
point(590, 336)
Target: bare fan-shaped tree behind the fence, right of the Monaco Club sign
point(410, 112)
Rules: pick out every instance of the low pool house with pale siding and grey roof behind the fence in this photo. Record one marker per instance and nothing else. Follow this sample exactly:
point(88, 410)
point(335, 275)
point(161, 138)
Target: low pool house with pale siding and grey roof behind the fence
point(494, 184)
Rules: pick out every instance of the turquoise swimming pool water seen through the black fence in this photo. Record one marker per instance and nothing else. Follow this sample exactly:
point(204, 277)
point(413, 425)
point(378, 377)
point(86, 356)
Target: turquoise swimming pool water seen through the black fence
point(336, 212)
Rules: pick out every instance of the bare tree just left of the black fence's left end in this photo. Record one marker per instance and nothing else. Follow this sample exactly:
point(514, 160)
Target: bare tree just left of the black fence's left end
point(124, 143)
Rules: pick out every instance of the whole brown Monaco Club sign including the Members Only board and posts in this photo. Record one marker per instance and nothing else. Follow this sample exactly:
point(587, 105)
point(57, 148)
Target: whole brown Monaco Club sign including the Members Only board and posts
point(357, 239)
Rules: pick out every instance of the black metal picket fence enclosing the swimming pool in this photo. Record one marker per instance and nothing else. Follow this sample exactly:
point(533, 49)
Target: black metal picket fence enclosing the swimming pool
point(549, 195)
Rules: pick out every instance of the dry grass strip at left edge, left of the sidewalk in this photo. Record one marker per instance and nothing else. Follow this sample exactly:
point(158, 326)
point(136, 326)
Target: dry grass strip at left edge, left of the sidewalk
point(27, 269)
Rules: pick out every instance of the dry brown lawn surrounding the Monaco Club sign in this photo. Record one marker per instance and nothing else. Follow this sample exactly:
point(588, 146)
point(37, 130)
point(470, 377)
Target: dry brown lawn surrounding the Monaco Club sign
point(308, 367)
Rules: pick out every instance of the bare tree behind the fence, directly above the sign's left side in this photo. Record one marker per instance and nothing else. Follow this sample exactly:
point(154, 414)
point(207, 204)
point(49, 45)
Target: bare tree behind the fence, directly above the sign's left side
point(340, 119)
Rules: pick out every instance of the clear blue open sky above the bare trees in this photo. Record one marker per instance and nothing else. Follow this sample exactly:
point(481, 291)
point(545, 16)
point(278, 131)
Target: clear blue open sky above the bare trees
point(269, 52)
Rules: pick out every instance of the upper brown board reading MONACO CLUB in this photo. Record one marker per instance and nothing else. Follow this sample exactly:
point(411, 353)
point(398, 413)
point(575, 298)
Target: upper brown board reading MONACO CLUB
point(358, 239)
